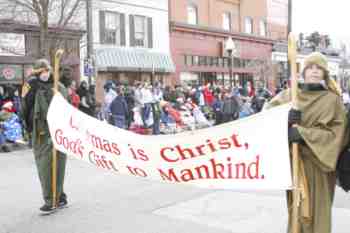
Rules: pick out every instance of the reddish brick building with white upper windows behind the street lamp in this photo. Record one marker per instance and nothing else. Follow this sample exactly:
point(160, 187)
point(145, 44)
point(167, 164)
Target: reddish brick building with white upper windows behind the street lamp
point(199, 29)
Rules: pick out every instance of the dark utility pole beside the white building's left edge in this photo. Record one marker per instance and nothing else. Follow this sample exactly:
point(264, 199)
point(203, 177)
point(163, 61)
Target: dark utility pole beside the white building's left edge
point(89, 40)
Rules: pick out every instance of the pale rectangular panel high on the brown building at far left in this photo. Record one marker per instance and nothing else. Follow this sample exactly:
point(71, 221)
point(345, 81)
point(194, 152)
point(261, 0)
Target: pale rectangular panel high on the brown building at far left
point(12, 44)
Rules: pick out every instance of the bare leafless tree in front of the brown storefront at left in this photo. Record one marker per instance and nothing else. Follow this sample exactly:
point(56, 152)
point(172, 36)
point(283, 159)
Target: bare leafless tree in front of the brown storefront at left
point(59, 14)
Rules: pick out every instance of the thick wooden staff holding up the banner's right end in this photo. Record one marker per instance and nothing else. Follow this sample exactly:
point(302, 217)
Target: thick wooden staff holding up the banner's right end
point(292, 53)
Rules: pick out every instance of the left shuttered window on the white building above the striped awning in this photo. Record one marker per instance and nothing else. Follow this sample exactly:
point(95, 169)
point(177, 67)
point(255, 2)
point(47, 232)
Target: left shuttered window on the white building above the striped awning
point(112, 28)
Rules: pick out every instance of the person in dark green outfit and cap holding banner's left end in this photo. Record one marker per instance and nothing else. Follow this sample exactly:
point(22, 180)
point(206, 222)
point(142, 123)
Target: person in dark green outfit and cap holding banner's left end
point(37, 94)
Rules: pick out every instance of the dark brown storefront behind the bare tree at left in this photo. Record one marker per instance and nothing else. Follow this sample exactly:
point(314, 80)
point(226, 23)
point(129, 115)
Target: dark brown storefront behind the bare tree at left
point(19, 48)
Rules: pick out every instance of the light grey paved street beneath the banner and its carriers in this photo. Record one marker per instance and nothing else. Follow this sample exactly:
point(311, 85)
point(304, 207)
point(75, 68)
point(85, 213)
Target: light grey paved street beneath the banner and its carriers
point(102, 202)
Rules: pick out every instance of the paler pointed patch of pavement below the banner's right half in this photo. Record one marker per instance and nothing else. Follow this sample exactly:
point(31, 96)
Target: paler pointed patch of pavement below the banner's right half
point(244, 212)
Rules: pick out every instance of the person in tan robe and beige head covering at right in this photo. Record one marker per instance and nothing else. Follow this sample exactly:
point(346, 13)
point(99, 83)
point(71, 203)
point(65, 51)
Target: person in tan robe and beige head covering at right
point(321, 134)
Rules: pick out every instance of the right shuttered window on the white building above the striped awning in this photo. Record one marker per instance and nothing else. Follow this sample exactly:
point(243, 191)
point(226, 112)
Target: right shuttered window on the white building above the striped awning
point(141, 33)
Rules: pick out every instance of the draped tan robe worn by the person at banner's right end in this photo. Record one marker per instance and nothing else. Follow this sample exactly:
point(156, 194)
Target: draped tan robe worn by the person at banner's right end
point(323, 129)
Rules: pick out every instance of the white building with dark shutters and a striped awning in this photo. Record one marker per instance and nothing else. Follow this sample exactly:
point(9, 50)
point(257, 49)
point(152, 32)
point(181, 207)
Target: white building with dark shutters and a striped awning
point(131, 41)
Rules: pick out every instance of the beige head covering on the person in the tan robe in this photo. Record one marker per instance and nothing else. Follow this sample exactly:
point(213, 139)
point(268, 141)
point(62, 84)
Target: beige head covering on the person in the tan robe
point(320, 60)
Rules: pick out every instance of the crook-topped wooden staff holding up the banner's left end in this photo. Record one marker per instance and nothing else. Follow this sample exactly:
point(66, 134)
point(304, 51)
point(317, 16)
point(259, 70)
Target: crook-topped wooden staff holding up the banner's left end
point(56, 78)
